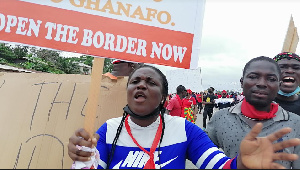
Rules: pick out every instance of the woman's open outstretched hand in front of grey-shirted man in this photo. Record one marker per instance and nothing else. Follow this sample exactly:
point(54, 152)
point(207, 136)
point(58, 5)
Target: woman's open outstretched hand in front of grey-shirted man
point(261, 152)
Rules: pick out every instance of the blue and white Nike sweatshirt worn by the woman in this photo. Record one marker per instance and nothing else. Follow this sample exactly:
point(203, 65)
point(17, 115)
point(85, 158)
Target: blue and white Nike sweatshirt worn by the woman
point(182, 140)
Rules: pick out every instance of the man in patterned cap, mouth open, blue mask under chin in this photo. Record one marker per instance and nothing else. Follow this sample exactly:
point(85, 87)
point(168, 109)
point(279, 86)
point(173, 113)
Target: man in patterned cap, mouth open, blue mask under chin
point(288, 98)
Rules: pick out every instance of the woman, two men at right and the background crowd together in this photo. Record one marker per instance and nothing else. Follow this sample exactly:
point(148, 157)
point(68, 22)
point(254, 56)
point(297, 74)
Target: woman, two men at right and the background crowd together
point(255, 129)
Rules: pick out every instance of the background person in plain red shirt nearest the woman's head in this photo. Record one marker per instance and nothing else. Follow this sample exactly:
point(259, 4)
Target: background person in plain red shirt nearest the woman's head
point(174, 107)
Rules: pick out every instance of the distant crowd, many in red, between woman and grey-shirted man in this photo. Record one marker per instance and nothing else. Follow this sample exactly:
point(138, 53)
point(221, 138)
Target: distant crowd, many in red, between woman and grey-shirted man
point(188, 104)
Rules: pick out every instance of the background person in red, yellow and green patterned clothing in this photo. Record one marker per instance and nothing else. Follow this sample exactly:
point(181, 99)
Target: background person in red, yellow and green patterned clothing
point(189, 107)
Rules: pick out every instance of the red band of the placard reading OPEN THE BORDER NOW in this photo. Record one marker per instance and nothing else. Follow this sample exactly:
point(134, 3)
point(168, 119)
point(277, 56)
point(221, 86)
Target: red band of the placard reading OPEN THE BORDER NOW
point(68, 30)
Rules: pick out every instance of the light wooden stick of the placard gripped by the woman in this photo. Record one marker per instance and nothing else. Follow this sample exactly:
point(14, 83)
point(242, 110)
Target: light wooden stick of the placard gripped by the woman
point(93, 97)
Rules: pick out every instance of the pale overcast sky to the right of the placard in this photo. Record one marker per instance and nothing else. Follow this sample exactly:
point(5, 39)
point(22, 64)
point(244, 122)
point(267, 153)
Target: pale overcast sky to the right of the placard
point(235, 31)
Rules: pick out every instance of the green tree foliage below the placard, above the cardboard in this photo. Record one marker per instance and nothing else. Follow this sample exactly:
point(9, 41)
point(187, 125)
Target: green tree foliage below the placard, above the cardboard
point(46, 60)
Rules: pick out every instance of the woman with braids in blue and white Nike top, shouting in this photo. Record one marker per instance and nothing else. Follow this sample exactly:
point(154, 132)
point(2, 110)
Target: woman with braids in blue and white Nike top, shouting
point(145, 138)
